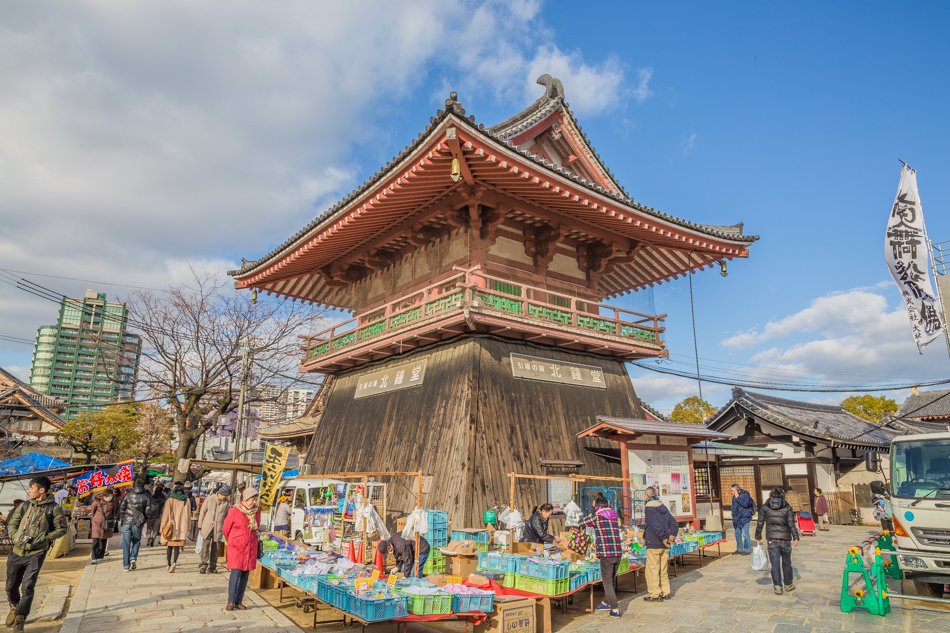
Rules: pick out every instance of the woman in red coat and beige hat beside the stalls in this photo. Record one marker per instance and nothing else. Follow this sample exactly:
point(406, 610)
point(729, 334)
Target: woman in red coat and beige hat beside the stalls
point(240, 533)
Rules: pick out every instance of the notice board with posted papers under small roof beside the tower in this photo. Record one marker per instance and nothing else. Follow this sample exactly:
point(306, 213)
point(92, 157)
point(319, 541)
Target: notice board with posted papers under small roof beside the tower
point(669, 471)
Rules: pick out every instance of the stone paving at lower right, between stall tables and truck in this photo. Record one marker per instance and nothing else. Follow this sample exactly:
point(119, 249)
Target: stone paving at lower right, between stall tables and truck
point(726, 595)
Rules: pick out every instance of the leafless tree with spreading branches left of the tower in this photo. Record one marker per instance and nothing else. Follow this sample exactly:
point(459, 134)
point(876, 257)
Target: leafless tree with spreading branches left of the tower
point(192, 343)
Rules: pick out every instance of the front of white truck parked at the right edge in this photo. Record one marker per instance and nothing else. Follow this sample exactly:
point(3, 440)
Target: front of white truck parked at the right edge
point(920, 499)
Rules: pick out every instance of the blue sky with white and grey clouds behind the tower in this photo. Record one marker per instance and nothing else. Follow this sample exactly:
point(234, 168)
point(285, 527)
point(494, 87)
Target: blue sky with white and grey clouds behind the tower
point(136, 141)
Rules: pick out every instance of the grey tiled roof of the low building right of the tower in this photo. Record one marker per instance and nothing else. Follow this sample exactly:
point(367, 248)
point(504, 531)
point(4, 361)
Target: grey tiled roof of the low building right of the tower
point(825, 423)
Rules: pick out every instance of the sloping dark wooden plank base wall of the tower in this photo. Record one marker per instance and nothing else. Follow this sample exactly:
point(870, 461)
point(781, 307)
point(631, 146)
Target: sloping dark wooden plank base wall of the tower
point(468, 425)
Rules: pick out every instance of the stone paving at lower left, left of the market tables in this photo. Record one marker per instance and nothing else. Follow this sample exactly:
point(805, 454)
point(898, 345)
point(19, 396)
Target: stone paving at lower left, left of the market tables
point(151, 600)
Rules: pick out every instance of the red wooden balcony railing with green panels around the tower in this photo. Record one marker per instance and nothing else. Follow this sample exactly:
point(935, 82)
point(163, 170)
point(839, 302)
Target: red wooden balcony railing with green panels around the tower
point(482, 292)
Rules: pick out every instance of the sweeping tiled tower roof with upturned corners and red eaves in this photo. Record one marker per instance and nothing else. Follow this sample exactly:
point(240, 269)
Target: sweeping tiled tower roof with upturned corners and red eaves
point(605, 198)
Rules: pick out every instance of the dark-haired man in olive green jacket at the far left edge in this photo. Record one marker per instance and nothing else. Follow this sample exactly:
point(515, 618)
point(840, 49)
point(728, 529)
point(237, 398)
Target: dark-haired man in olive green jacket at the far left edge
point(33, 528)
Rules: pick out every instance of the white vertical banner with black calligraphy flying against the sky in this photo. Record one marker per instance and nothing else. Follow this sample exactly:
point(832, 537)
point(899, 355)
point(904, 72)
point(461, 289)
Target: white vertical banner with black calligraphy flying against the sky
point(907, 253)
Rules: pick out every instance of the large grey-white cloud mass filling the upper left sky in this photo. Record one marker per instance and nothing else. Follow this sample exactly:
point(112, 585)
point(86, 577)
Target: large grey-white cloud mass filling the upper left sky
point(138, 139)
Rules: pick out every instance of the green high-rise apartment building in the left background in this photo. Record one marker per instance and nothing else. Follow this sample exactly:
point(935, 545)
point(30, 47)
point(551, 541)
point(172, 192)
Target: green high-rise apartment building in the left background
point(88, 359)
